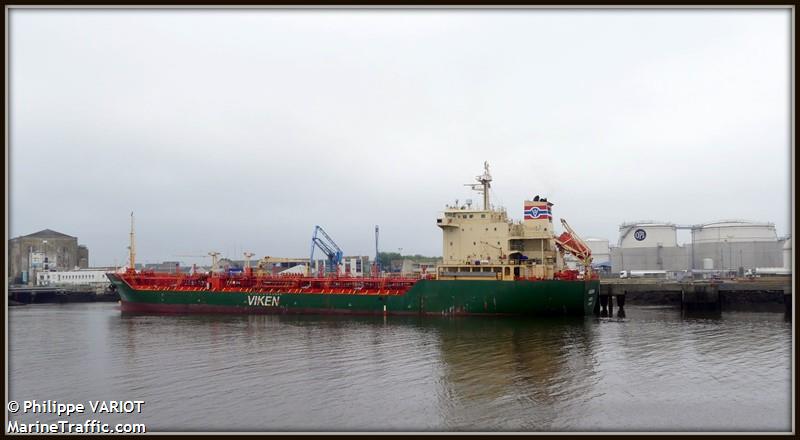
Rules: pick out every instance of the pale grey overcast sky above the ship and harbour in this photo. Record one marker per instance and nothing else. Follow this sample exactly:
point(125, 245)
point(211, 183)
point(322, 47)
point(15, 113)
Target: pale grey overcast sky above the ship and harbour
point(239, 130)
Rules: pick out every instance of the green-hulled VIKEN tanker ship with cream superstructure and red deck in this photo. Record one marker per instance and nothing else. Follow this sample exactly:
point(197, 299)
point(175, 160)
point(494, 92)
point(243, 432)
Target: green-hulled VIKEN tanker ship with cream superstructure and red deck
point(491, 265)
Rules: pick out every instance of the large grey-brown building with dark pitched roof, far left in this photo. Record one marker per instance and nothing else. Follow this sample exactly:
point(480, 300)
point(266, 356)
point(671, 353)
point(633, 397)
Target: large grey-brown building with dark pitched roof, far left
point(42, 251)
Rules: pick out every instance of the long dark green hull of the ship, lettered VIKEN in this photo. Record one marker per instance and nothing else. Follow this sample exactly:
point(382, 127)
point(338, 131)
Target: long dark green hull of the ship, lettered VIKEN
point(432, 297)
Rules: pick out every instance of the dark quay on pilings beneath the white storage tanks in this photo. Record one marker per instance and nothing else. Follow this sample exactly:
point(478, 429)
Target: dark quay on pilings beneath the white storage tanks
point(772, 294)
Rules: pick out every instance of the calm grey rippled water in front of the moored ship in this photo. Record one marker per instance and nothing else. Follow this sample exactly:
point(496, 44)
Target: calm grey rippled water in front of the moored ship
point(654, 370)
